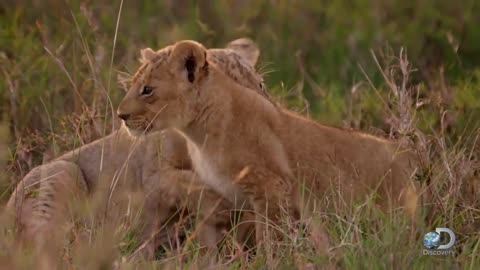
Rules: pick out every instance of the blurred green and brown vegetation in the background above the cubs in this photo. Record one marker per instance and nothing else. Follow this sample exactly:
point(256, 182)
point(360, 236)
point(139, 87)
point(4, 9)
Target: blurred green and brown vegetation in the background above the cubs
point(60, 61)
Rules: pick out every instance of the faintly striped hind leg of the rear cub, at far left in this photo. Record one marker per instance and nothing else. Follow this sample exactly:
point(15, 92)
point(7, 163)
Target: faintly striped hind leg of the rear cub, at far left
point(40, 201)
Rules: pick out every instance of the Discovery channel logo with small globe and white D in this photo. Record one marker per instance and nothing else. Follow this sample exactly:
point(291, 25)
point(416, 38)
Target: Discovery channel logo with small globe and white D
point(432, 241)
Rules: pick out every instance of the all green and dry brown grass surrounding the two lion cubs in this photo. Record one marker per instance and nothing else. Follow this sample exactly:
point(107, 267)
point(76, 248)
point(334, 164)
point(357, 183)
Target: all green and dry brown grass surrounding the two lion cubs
point(399, 69)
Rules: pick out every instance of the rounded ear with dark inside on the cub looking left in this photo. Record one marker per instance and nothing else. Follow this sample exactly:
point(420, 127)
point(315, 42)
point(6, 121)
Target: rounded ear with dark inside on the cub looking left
point(188, 59)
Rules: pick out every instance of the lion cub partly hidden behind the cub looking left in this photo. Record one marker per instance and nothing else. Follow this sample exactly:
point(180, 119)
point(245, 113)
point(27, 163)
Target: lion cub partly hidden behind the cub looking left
point(158, 165)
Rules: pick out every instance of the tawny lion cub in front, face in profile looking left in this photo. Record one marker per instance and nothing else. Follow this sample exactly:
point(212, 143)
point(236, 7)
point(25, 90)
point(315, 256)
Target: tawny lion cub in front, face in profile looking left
point(251, 150)
